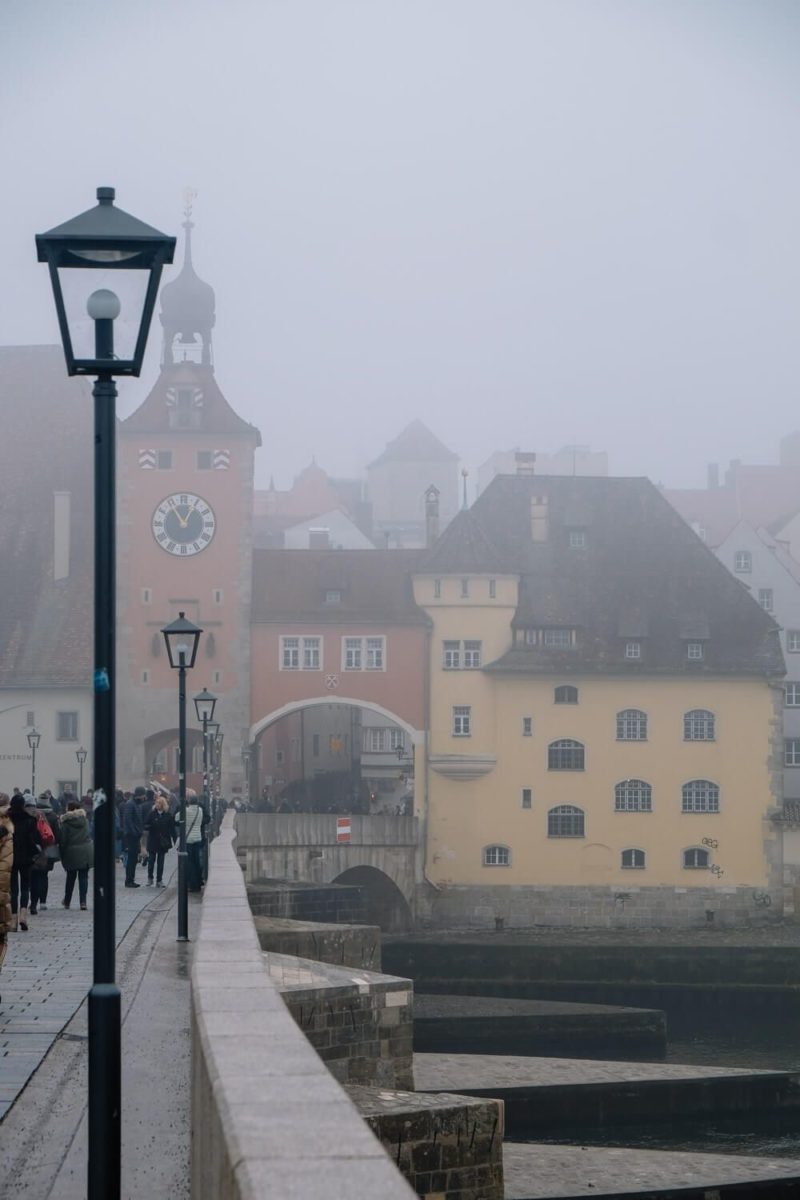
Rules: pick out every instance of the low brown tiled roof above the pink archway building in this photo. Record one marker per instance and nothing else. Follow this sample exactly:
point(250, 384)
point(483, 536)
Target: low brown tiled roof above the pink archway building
point(375, 586)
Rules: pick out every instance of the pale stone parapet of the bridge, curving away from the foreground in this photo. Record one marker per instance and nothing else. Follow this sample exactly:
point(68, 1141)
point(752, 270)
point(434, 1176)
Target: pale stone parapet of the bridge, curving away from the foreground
point(268, 1118)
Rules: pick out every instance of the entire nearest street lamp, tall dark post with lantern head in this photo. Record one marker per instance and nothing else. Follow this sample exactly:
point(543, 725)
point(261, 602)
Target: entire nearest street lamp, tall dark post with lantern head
point(105, 247)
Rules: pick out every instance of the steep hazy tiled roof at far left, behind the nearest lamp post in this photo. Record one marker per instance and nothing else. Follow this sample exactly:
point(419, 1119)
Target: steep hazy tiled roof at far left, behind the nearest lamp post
point(47, 446)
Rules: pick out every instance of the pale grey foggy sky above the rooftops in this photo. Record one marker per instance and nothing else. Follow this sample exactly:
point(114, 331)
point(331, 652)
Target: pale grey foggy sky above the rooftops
point(530, 223)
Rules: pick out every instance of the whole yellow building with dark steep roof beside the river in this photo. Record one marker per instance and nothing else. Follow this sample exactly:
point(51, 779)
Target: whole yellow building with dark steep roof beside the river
point(605, 739)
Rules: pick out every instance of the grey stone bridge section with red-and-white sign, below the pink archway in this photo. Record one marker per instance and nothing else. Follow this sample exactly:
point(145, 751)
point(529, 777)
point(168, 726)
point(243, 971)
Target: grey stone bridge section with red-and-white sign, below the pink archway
point(304, 848)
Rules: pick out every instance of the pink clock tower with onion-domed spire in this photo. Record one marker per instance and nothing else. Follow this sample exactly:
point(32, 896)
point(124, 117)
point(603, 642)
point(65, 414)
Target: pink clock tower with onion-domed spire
point(185, 545)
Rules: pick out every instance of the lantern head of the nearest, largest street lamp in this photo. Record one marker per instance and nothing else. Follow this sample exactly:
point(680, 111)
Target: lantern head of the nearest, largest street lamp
point(110, 251)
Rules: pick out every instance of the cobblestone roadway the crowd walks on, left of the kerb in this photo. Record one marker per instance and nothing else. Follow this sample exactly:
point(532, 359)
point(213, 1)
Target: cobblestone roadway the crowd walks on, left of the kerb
point(47, 975)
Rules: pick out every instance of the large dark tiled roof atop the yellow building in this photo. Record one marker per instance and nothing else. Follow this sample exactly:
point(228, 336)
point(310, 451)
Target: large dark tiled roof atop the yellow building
point(642, 574)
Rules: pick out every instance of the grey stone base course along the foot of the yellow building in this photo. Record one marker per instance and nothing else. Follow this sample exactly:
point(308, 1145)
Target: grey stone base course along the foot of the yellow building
point(584, 908)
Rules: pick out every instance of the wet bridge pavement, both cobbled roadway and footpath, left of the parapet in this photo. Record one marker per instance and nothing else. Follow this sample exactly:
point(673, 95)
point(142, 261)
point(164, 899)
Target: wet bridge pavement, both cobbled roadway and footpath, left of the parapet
point(44, 1133)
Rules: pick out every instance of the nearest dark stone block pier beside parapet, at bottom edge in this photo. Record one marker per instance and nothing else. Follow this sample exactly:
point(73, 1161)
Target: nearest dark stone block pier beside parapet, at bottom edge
point(444, 1145)
